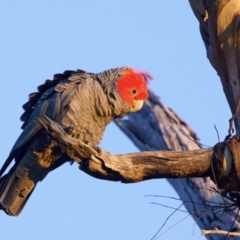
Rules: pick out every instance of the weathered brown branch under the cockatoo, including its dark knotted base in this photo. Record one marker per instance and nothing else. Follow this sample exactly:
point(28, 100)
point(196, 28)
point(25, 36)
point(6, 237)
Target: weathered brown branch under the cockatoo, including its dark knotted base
point(220, 163)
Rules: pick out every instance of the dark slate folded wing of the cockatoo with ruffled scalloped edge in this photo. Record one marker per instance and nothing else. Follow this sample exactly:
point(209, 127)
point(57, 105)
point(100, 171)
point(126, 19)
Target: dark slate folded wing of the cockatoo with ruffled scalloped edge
point(52, 96)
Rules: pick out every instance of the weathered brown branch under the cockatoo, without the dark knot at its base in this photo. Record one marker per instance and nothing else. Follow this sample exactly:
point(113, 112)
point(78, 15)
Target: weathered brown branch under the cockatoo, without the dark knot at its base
point(132, 167)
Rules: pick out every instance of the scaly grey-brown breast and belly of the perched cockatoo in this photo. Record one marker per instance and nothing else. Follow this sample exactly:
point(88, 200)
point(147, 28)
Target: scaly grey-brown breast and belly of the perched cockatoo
point(82, 112)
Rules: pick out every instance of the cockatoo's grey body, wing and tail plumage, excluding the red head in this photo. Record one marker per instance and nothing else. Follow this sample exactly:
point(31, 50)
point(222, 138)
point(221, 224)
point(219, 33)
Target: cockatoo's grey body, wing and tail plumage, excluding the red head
point(86, 101)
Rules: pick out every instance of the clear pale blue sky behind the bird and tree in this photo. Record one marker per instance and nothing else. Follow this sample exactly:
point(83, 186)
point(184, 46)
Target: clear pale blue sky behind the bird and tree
point(41, 38)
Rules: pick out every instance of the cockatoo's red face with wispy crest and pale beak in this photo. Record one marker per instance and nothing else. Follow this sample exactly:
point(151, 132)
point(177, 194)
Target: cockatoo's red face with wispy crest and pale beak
point(132, 88)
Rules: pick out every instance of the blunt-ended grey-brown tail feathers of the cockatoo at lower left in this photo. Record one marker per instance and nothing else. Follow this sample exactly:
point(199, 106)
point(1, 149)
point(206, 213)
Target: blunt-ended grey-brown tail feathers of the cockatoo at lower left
point(12, 195)
